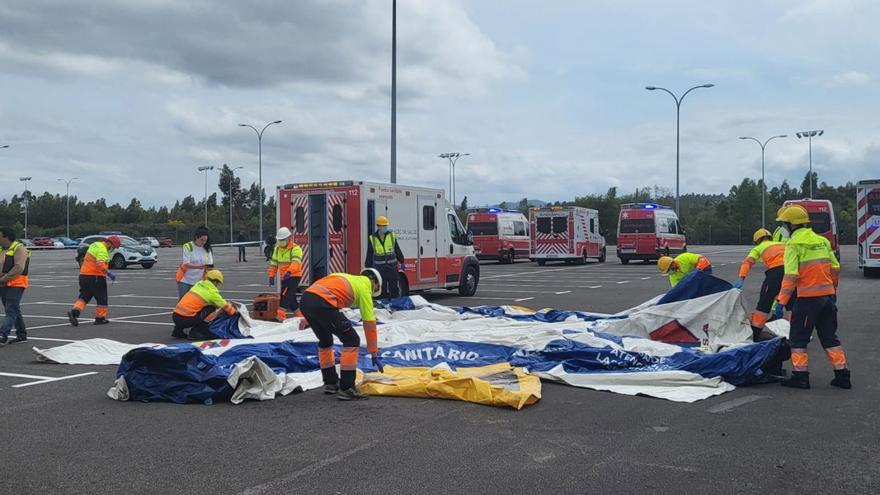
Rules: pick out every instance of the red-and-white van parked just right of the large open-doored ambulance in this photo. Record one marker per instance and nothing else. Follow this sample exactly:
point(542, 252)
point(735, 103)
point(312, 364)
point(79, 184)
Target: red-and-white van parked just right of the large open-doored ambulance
point(498, 234)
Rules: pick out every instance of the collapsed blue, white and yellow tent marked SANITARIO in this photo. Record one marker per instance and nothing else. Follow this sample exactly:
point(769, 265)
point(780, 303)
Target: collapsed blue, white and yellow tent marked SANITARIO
point(689, 344)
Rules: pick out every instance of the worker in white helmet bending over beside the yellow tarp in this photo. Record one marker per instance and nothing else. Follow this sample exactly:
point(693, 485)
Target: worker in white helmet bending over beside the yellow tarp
point(320, 305)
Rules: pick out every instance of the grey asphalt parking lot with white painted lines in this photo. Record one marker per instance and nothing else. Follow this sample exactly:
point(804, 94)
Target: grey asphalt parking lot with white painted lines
point(63, 435)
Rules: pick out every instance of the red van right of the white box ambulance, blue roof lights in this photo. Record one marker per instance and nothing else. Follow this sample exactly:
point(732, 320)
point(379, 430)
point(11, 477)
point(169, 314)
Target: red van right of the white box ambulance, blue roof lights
point(647, 231)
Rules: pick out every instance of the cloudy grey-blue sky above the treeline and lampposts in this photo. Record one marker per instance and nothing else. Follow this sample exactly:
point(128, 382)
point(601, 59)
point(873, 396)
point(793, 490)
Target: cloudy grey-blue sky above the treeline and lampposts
point(131, 96)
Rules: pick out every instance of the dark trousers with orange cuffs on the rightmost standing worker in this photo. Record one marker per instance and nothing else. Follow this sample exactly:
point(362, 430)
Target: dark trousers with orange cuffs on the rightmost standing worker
point(819, 313)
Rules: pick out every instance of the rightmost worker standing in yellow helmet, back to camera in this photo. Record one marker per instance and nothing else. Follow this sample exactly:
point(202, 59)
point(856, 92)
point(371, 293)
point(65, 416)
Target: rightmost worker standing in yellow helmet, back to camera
point(812, 269)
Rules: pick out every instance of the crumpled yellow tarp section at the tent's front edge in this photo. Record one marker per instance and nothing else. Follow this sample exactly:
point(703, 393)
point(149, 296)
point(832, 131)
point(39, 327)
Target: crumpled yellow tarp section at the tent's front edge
point(496, 385)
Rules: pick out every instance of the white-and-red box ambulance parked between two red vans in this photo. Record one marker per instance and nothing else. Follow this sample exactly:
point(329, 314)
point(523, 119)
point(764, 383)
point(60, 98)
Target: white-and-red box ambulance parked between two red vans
point(565, 233)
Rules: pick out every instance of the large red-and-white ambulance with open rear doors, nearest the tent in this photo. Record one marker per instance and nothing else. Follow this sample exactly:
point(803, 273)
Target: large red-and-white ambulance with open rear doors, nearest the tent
point(331, 222)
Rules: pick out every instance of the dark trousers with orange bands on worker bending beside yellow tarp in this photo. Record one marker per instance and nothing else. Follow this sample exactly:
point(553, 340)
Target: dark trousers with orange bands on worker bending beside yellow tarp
point(327, 321)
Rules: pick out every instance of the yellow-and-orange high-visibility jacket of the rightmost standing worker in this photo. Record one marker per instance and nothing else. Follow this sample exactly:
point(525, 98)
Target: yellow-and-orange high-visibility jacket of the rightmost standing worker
point(810, 266)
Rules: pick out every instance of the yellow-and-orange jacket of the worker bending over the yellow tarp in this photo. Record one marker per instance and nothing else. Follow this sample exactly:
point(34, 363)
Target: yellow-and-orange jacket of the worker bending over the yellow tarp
point(343, 290)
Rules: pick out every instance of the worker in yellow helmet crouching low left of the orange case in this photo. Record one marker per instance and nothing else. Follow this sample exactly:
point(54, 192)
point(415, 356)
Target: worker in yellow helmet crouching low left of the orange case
point(198, 308)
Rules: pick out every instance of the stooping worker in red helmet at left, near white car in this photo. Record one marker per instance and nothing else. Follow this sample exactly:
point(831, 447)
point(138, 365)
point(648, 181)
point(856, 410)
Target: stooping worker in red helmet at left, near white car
point(93, 275)
